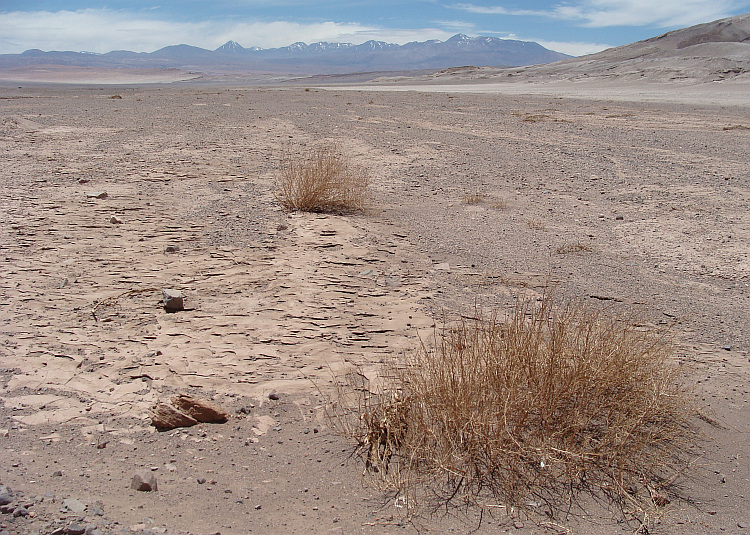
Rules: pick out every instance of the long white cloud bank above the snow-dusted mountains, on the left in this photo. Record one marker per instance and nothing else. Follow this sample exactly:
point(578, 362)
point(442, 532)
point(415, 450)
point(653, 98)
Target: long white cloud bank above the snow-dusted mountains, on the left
point(103, 30)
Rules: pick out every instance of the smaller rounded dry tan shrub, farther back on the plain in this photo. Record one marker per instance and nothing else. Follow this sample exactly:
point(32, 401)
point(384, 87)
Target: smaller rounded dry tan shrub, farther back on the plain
point(321, 180)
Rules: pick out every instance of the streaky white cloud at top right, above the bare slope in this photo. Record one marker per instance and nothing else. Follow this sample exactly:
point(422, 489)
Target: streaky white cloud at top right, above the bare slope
point(604, 13)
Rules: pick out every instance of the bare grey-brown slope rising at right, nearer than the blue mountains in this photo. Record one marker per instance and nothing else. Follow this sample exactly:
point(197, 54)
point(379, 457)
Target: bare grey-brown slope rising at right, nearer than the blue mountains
point(709, 52)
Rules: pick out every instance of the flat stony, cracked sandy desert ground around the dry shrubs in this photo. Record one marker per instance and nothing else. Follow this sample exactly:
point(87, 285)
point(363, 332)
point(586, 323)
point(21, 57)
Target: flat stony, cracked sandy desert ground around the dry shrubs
point(477, 197)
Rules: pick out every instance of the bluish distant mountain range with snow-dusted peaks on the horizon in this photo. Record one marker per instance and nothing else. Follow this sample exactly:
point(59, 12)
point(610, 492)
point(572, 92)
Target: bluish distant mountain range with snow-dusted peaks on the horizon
point(301, 58)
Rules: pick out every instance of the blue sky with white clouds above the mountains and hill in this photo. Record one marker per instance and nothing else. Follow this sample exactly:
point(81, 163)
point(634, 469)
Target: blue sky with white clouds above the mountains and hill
point(572, 26)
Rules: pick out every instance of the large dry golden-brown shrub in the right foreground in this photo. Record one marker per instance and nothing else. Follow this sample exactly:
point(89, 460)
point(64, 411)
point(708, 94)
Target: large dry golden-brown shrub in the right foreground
point(535, 409)
